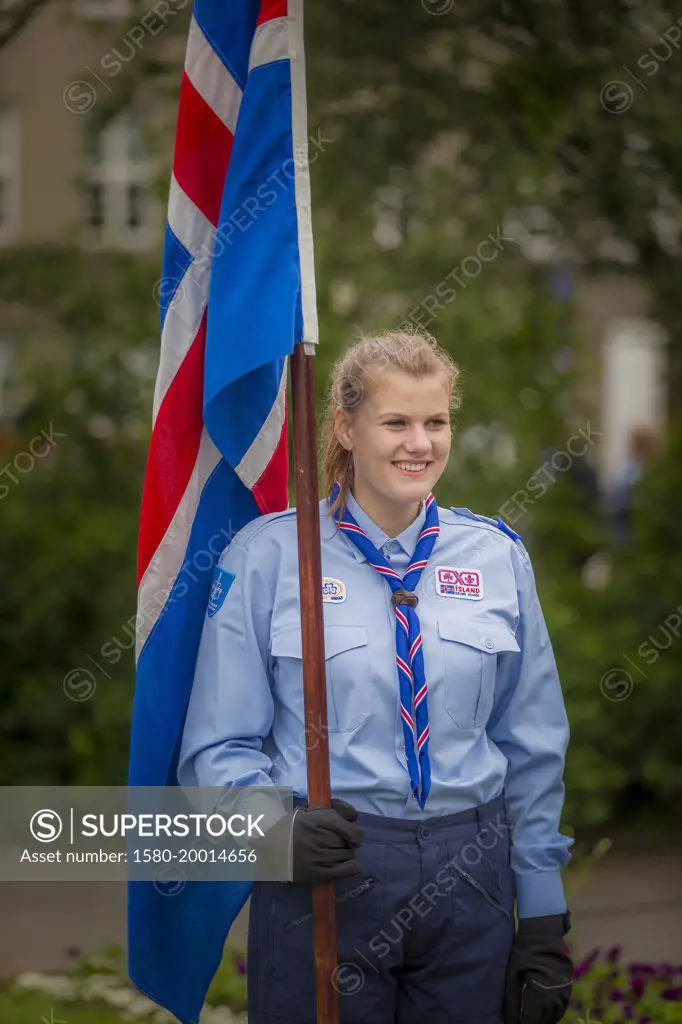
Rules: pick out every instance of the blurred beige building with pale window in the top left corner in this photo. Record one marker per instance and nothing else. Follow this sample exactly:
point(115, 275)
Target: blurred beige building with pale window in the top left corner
point(63, 180)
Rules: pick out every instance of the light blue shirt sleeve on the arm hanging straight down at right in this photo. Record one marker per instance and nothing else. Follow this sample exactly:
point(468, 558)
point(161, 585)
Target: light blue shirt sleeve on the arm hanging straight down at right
point(530, 727)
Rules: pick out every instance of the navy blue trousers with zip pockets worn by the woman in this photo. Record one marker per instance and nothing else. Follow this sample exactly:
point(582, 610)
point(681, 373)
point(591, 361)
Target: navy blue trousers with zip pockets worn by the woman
point(424, 933)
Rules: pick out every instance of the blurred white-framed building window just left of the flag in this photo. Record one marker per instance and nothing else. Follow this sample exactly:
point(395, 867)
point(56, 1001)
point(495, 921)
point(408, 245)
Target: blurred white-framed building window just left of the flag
point(119, 206)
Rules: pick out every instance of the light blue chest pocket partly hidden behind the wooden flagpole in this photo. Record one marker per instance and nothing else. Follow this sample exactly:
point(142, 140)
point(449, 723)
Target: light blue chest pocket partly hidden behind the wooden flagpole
point(348, 670)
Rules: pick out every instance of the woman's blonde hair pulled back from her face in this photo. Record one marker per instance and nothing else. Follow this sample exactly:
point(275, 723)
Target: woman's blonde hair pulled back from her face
point(415, 353)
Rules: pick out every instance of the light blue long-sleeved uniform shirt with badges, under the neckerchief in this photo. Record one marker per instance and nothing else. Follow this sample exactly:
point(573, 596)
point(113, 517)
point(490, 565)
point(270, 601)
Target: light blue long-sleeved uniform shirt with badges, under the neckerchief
point(496, 709)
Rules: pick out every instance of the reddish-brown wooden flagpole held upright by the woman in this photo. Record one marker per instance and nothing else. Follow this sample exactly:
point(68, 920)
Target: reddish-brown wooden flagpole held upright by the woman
point(315, 685)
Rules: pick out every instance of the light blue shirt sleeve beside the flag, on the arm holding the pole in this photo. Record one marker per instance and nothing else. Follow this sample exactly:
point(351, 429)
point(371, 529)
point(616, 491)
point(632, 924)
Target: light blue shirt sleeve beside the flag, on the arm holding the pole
point(232, 709)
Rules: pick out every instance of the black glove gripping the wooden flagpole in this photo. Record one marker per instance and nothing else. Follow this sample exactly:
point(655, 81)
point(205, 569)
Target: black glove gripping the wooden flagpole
point(325, 841)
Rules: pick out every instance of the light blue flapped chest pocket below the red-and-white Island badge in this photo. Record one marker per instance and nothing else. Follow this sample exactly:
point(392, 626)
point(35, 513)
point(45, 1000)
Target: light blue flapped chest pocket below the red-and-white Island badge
point(470, 653)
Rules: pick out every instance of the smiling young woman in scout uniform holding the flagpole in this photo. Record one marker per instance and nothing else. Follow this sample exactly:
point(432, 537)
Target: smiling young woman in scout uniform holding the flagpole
point(447, 727)
